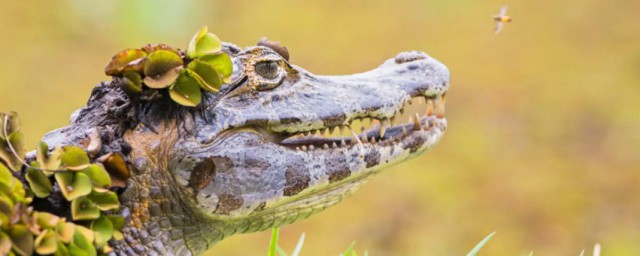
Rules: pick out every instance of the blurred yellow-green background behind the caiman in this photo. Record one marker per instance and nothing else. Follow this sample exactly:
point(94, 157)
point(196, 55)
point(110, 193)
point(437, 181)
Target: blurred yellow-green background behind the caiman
point(544, 118)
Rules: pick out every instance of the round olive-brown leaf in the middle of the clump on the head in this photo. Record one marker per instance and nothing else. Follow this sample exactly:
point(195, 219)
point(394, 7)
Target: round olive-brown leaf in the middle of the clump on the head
point(161, 69)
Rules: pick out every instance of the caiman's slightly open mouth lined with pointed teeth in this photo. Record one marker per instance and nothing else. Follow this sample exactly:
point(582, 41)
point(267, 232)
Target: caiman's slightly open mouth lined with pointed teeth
point(372, 130)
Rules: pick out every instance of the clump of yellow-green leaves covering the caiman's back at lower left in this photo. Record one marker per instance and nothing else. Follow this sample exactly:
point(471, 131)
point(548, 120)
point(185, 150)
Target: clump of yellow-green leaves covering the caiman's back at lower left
point(24, 231)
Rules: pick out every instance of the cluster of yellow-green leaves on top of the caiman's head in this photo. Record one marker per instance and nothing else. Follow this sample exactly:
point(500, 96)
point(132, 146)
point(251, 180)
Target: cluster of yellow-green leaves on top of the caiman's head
point(204, 66)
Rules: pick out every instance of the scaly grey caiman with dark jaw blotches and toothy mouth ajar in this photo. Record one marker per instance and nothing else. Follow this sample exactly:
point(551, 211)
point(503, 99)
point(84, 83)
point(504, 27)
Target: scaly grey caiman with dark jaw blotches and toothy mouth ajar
point(273, 146)
